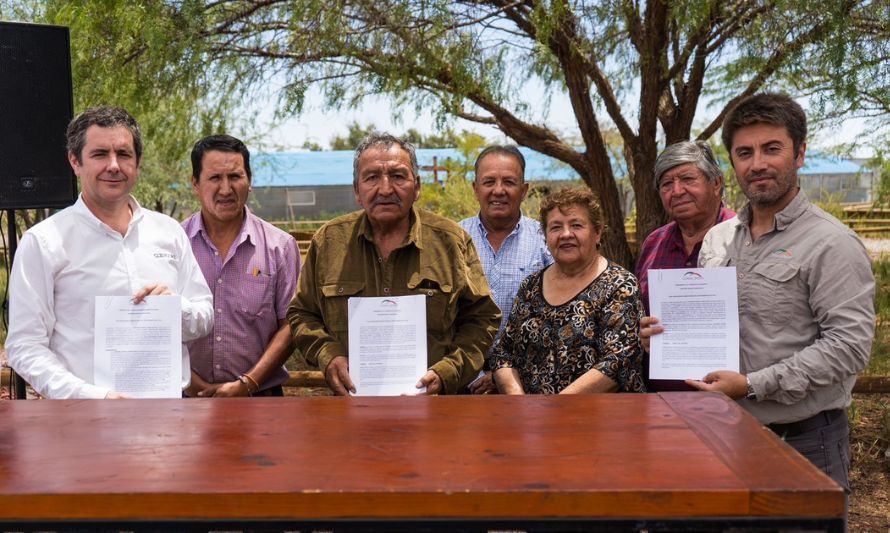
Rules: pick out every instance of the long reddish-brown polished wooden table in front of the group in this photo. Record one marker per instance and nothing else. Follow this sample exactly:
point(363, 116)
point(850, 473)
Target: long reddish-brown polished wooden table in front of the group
point(585, 462)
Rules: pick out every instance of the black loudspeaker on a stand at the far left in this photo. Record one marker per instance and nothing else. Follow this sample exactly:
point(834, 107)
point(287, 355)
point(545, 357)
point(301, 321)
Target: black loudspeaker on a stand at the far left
point(35, 108)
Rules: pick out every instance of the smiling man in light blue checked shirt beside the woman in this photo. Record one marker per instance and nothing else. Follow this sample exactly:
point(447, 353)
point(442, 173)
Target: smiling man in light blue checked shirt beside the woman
point(510, 245)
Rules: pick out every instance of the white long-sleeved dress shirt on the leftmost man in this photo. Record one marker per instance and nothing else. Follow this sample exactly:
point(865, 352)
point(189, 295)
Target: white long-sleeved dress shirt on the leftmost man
point(65, 261)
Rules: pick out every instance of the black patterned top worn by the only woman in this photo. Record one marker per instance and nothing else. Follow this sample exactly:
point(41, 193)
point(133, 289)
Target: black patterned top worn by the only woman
point(552, 346)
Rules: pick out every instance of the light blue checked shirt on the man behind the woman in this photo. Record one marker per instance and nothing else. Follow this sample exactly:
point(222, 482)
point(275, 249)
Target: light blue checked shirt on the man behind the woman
point(523, 252)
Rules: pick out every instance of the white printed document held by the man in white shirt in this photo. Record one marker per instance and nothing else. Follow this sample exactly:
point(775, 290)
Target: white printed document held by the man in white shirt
point(138, 347)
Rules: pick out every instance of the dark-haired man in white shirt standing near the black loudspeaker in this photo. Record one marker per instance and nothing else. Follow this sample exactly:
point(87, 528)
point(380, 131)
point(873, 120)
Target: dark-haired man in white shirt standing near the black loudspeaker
point(105, 244)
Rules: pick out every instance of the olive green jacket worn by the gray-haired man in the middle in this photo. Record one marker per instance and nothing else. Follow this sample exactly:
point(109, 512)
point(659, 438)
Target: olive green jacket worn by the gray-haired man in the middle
point(437, 260)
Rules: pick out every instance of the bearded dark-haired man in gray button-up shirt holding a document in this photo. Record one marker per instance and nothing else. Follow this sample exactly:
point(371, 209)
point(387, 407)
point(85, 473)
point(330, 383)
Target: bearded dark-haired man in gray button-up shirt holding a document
point(806, 290)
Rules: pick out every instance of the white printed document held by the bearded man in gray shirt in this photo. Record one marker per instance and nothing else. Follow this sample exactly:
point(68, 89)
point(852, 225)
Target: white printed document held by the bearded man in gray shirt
point(699, 310)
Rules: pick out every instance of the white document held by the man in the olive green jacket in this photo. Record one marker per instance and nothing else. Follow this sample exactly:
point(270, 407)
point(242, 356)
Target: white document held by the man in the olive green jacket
point(387, 344)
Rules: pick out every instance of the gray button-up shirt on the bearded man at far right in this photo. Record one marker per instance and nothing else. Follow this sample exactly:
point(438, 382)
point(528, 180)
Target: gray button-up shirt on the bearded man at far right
point(806, 308)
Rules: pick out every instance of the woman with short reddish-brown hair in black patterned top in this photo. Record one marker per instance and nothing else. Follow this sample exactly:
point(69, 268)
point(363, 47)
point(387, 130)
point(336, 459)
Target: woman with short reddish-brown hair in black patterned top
point(574, 326)
